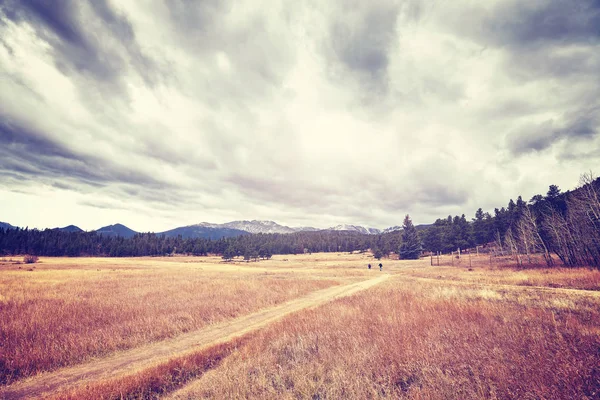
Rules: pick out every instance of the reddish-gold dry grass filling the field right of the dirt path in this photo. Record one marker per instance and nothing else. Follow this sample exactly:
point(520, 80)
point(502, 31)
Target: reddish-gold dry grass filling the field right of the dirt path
point(420, 339)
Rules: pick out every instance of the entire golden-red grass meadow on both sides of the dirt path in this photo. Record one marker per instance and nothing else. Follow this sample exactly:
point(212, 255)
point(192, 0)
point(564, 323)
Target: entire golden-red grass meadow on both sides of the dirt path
point(463, 331)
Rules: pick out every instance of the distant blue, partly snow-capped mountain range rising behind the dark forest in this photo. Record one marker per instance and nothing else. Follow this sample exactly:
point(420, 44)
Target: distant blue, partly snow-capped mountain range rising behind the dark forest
point(228, 229)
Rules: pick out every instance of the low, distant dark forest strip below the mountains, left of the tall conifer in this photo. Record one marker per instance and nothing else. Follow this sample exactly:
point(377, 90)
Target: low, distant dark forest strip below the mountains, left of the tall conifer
point(53, 242)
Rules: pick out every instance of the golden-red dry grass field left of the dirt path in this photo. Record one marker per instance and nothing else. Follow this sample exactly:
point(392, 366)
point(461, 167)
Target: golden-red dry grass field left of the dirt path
point(66, 311)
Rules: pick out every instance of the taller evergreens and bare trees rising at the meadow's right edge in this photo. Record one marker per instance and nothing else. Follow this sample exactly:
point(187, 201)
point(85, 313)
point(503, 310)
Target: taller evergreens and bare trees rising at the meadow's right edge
point(564, 225)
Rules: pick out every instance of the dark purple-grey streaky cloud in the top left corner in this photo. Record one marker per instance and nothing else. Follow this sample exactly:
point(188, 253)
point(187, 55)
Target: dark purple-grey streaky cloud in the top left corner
point(70, 27)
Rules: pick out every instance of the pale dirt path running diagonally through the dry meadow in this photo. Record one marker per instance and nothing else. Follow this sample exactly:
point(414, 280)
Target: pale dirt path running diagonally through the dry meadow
point(129, 361)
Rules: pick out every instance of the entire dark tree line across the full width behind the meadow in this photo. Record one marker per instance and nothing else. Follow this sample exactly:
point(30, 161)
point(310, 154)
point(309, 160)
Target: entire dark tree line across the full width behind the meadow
point(558, 225)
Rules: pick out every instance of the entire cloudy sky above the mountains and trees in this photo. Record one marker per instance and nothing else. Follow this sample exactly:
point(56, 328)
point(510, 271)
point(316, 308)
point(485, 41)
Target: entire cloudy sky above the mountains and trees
point(158, 114)
